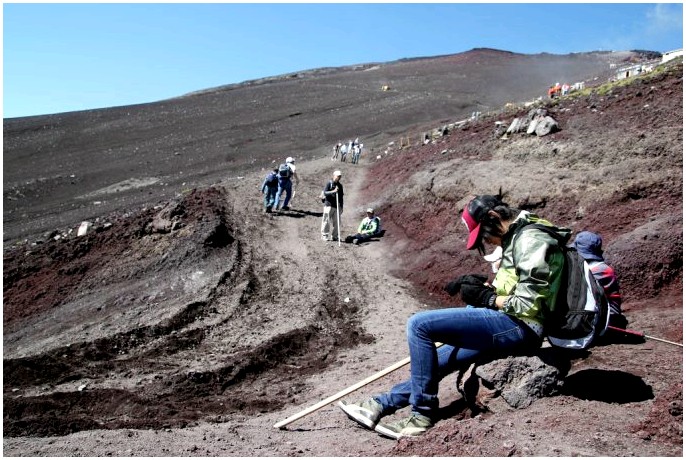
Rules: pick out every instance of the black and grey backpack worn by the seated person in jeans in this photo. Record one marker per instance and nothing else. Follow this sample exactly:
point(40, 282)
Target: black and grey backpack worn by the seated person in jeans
point(581, 311)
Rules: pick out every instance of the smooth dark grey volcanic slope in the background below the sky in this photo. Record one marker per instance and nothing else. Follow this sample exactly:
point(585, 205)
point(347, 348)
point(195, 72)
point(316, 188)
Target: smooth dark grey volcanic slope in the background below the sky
point(65, 168)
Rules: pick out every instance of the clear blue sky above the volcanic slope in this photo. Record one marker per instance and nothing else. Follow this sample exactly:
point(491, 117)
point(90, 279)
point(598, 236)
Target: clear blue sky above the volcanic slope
point(65, 57)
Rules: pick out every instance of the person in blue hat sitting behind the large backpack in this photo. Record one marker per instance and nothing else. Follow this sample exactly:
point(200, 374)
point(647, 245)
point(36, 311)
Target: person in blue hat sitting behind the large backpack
point(590, 246)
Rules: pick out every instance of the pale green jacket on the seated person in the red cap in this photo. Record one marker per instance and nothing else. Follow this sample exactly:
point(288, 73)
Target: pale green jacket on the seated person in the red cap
point(533, 283)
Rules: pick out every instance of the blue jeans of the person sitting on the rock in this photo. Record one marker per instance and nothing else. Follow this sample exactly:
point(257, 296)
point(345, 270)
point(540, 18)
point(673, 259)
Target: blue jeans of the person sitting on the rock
point(468, 334)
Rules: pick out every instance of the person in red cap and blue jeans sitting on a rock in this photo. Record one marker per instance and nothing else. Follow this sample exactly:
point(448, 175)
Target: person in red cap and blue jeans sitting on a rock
point(499, 320)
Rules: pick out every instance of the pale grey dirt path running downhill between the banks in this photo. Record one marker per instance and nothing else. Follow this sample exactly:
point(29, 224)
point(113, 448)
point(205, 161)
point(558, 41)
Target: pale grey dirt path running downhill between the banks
point(292, 268)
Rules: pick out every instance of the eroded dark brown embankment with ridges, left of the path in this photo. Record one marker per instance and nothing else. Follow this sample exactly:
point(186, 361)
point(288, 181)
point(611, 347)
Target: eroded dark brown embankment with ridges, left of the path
point(183, 367)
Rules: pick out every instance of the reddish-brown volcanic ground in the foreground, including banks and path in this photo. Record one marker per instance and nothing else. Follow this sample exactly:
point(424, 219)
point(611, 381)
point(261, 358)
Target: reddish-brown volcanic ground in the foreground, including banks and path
point(195, 342)
